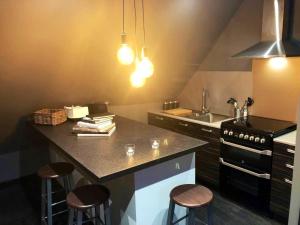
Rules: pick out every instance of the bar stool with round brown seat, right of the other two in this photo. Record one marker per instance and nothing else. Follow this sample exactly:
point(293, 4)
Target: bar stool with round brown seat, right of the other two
point(190, 196)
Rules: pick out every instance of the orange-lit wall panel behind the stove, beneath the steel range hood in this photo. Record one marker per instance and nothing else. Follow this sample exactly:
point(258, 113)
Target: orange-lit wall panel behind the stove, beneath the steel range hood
point(276, 92)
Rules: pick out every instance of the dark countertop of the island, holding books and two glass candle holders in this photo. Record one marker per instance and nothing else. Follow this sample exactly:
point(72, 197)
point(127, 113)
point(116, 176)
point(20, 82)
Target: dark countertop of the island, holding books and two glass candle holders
point(105, 158)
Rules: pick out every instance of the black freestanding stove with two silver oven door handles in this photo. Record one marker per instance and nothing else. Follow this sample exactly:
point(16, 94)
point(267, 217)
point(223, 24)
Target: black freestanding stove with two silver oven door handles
point(246, 156)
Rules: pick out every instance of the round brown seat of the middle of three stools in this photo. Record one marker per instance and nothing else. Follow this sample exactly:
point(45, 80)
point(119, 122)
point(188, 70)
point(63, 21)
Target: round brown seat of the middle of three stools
point(88, 196)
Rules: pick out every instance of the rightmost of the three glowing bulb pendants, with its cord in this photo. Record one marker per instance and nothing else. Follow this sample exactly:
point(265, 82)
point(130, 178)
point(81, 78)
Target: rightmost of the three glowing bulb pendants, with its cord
point(145, 66)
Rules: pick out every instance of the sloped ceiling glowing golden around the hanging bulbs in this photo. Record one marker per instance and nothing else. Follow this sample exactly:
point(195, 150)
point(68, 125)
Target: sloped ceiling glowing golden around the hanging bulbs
point(57, 52)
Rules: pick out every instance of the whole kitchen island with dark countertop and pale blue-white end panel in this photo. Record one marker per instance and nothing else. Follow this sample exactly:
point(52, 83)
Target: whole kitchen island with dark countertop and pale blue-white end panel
point(140, 184)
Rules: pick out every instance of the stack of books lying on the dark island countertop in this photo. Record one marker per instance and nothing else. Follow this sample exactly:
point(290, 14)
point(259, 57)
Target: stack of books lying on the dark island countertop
point(101, 125)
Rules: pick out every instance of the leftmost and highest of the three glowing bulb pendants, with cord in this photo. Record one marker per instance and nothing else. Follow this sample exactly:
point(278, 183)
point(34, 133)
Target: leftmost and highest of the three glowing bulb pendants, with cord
point(125, 53)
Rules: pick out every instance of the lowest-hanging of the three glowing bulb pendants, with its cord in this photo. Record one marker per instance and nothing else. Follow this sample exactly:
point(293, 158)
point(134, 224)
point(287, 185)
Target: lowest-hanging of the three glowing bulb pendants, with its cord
point(137, 79)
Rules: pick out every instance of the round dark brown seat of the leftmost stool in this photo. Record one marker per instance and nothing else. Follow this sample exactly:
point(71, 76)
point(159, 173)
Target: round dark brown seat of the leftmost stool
point(55, 170)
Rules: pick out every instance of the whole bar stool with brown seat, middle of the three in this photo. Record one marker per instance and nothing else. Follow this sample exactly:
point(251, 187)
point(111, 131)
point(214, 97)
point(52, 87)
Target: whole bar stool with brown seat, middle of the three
point(89, 198)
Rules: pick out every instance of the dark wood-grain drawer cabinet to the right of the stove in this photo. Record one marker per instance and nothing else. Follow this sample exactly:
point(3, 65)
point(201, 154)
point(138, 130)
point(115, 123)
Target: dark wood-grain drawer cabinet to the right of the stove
point(282, 174)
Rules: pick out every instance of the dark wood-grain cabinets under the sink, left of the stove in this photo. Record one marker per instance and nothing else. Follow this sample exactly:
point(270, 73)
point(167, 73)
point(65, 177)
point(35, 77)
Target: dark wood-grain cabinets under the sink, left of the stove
point(207, 159)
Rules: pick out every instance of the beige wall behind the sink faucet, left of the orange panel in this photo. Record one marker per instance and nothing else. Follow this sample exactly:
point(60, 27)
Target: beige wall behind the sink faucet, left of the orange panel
point(221, 85)
